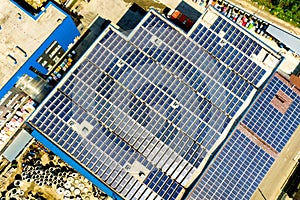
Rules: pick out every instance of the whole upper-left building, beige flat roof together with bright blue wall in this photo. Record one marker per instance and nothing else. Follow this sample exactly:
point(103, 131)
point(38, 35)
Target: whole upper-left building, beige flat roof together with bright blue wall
point(32, 35)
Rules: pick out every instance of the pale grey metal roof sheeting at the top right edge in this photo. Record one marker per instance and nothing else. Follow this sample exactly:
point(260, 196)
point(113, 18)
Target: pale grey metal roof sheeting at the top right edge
point(286, 38)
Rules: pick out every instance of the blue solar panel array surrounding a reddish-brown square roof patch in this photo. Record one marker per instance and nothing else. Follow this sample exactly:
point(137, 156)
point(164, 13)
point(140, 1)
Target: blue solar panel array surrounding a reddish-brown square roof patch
point(270, 124)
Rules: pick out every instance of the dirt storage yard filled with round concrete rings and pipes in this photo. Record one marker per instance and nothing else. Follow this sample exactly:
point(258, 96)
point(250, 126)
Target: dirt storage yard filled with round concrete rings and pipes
point(38, 173)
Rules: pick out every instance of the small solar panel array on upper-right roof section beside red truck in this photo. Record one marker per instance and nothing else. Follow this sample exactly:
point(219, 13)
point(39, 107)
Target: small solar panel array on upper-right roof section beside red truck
point(234, 49)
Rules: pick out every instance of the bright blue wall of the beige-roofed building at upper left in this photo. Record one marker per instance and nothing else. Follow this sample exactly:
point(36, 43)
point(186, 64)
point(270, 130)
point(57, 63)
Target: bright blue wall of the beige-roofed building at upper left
point(64, 34)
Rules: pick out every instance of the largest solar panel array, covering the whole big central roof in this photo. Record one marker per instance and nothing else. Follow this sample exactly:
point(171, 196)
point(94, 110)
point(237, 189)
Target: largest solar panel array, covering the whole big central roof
point(157, 98)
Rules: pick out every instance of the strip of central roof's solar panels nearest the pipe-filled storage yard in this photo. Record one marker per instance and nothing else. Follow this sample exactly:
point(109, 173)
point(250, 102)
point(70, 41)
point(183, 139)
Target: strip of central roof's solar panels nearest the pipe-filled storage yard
point(102, 152)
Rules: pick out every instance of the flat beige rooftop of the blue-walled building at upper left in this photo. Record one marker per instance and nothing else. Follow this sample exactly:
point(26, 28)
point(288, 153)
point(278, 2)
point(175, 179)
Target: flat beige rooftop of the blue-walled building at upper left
point(20, 29)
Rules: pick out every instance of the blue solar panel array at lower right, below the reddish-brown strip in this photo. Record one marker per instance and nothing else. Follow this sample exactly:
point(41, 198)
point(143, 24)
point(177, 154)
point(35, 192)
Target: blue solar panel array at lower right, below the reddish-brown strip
point(236, 171)
